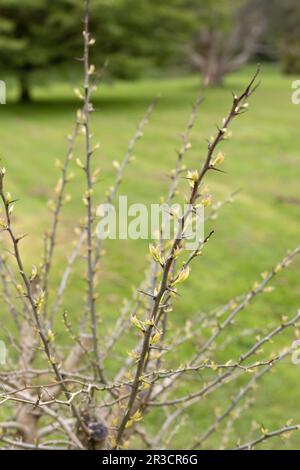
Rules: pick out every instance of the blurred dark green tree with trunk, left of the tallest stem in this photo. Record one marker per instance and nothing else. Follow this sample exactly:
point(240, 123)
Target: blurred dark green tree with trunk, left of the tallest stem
point(36, 34)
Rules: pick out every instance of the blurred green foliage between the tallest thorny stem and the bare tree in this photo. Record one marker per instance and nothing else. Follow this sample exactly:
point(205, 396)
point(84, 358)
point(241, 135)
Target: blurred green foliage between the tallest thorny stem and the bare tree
point(140, 35)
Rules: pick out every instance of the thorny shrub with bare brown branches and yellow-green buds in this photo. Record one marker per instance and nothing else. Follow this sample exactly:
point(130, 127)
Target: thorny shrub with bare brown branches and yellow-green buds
point(67, 399)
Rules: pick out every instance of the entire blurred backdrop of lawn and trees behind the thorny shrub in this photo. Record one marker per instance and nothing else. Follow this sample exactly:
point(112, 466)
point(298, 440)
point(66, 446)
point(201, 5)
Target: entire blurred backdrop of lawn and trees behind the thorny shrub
point(175, 49)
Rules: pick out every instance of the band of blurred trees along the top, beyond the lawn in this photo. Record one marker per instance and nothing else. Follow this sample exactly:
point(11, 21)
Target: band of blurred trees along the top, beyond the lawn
point(39, 38)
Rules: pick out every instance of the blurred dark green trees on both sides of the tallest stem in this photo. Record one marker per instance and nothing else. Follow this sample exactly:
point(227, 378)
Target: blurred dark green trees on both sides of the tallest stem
point(134, 35)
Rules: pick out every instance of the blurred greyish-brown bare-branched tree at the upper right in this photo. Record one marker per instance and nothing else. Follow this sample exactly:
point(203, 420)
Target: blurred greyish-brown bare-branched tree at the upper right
point(228, 36)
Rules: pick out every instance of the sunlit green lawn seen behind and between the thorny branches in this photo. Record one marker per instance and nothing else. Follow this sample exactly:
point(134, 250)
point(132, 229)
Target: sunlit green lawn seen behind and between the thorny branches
point(253, 234)
